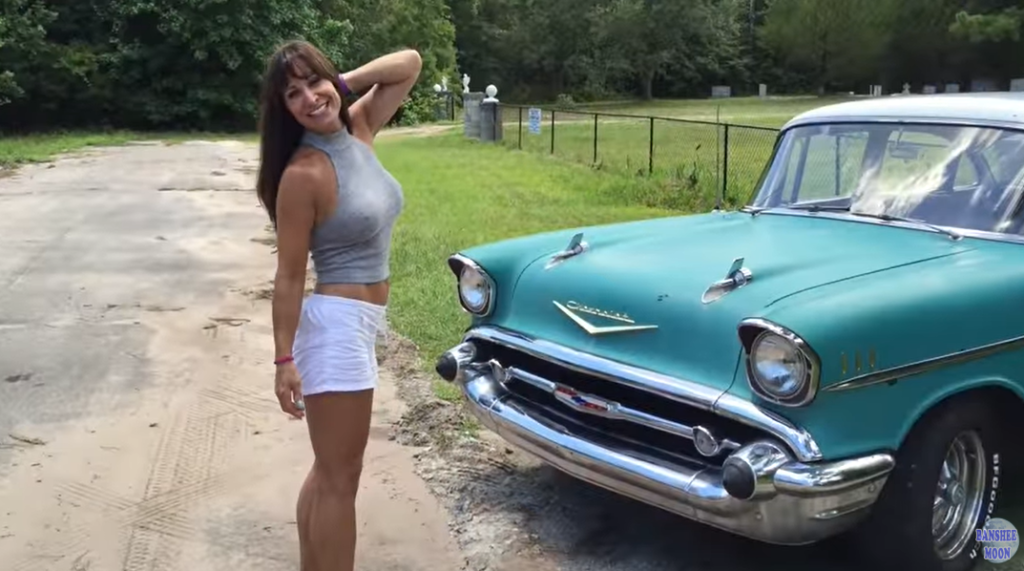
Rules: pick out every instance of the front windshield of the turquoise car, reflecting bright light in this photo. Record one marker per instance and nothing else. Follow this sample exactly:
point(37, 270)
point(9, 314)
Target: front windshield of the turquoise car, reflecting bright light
point(946, 175)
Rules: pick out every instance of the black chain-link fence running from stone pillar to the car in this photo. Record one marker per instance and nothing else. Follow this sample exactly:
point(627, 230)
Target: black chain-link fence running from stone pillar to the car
point(701, 158)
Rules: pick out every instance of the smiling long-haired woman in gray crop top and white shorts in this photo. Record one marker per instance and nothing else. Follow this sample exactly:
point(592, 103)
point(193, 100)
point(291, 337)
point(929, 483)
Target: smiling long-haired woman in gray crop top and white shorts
point(328, 196)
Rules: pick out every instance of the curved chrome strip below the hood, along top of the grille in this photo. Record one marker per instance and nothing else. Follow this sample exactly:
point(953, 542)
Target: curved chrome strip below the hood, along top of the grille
point(688, 392)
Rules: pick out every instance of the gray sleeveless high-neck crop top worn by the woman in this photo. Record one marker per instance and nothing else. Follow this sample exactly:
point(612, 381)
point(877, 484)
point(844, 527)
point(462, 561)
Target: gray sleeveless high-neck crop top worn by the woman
point(354, 246)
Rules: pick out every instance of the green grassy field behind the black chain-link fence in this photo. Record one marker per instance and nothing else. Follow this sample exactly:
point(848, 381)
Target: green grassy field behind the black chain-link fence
point(699, 158)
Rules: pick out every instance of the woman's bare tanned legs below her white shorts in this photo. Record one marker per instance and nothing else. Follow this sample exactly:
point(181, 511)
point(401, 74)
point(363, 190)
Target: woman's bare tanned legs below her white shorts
point(339, 426)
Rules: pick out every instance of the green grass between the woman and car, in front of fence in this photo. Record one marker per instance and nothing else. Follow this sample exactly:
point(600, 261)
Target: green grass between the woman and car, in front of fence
point(461, 194)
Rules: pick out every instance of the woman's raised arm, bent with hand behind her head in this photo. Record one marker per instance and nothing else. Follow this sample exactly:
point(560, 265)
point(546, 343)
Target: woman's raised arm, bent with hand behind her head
point(390, 79)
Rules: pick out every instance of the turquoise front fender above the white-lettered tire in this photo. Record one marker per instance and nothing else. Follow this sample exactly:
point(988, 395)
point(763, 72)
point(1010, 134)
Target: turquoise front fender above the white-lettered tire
point(895, 344)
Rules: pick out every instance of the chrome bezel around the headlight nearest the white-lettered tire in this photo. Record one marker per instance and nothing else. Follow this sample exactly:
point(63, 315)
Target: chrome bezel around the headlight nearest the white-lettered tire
point(755, 334)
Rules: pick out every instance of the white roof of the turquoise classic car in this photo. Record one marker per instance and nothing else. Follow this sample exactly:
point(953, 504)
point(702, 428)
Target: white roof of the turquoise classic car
point(998, 109)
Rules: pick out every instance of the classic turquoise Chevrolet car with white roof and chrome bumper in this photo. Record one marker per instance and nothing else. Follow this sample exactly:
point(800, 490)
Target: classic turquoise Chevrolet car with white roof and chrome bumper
point(844, 356)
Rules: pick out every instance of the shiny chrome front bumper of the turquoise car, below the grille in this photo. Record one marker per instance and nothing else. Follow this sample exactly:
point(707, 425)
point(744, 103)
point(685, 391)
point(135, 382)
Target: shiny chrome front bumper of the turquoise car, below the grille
point(793, 503)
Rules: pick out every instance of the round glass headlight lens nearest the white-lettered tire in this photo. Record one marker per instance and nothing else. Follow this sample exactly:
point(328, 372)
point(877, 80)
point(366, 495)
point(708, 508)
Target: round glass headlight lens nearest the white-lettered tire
point(779, 366)
